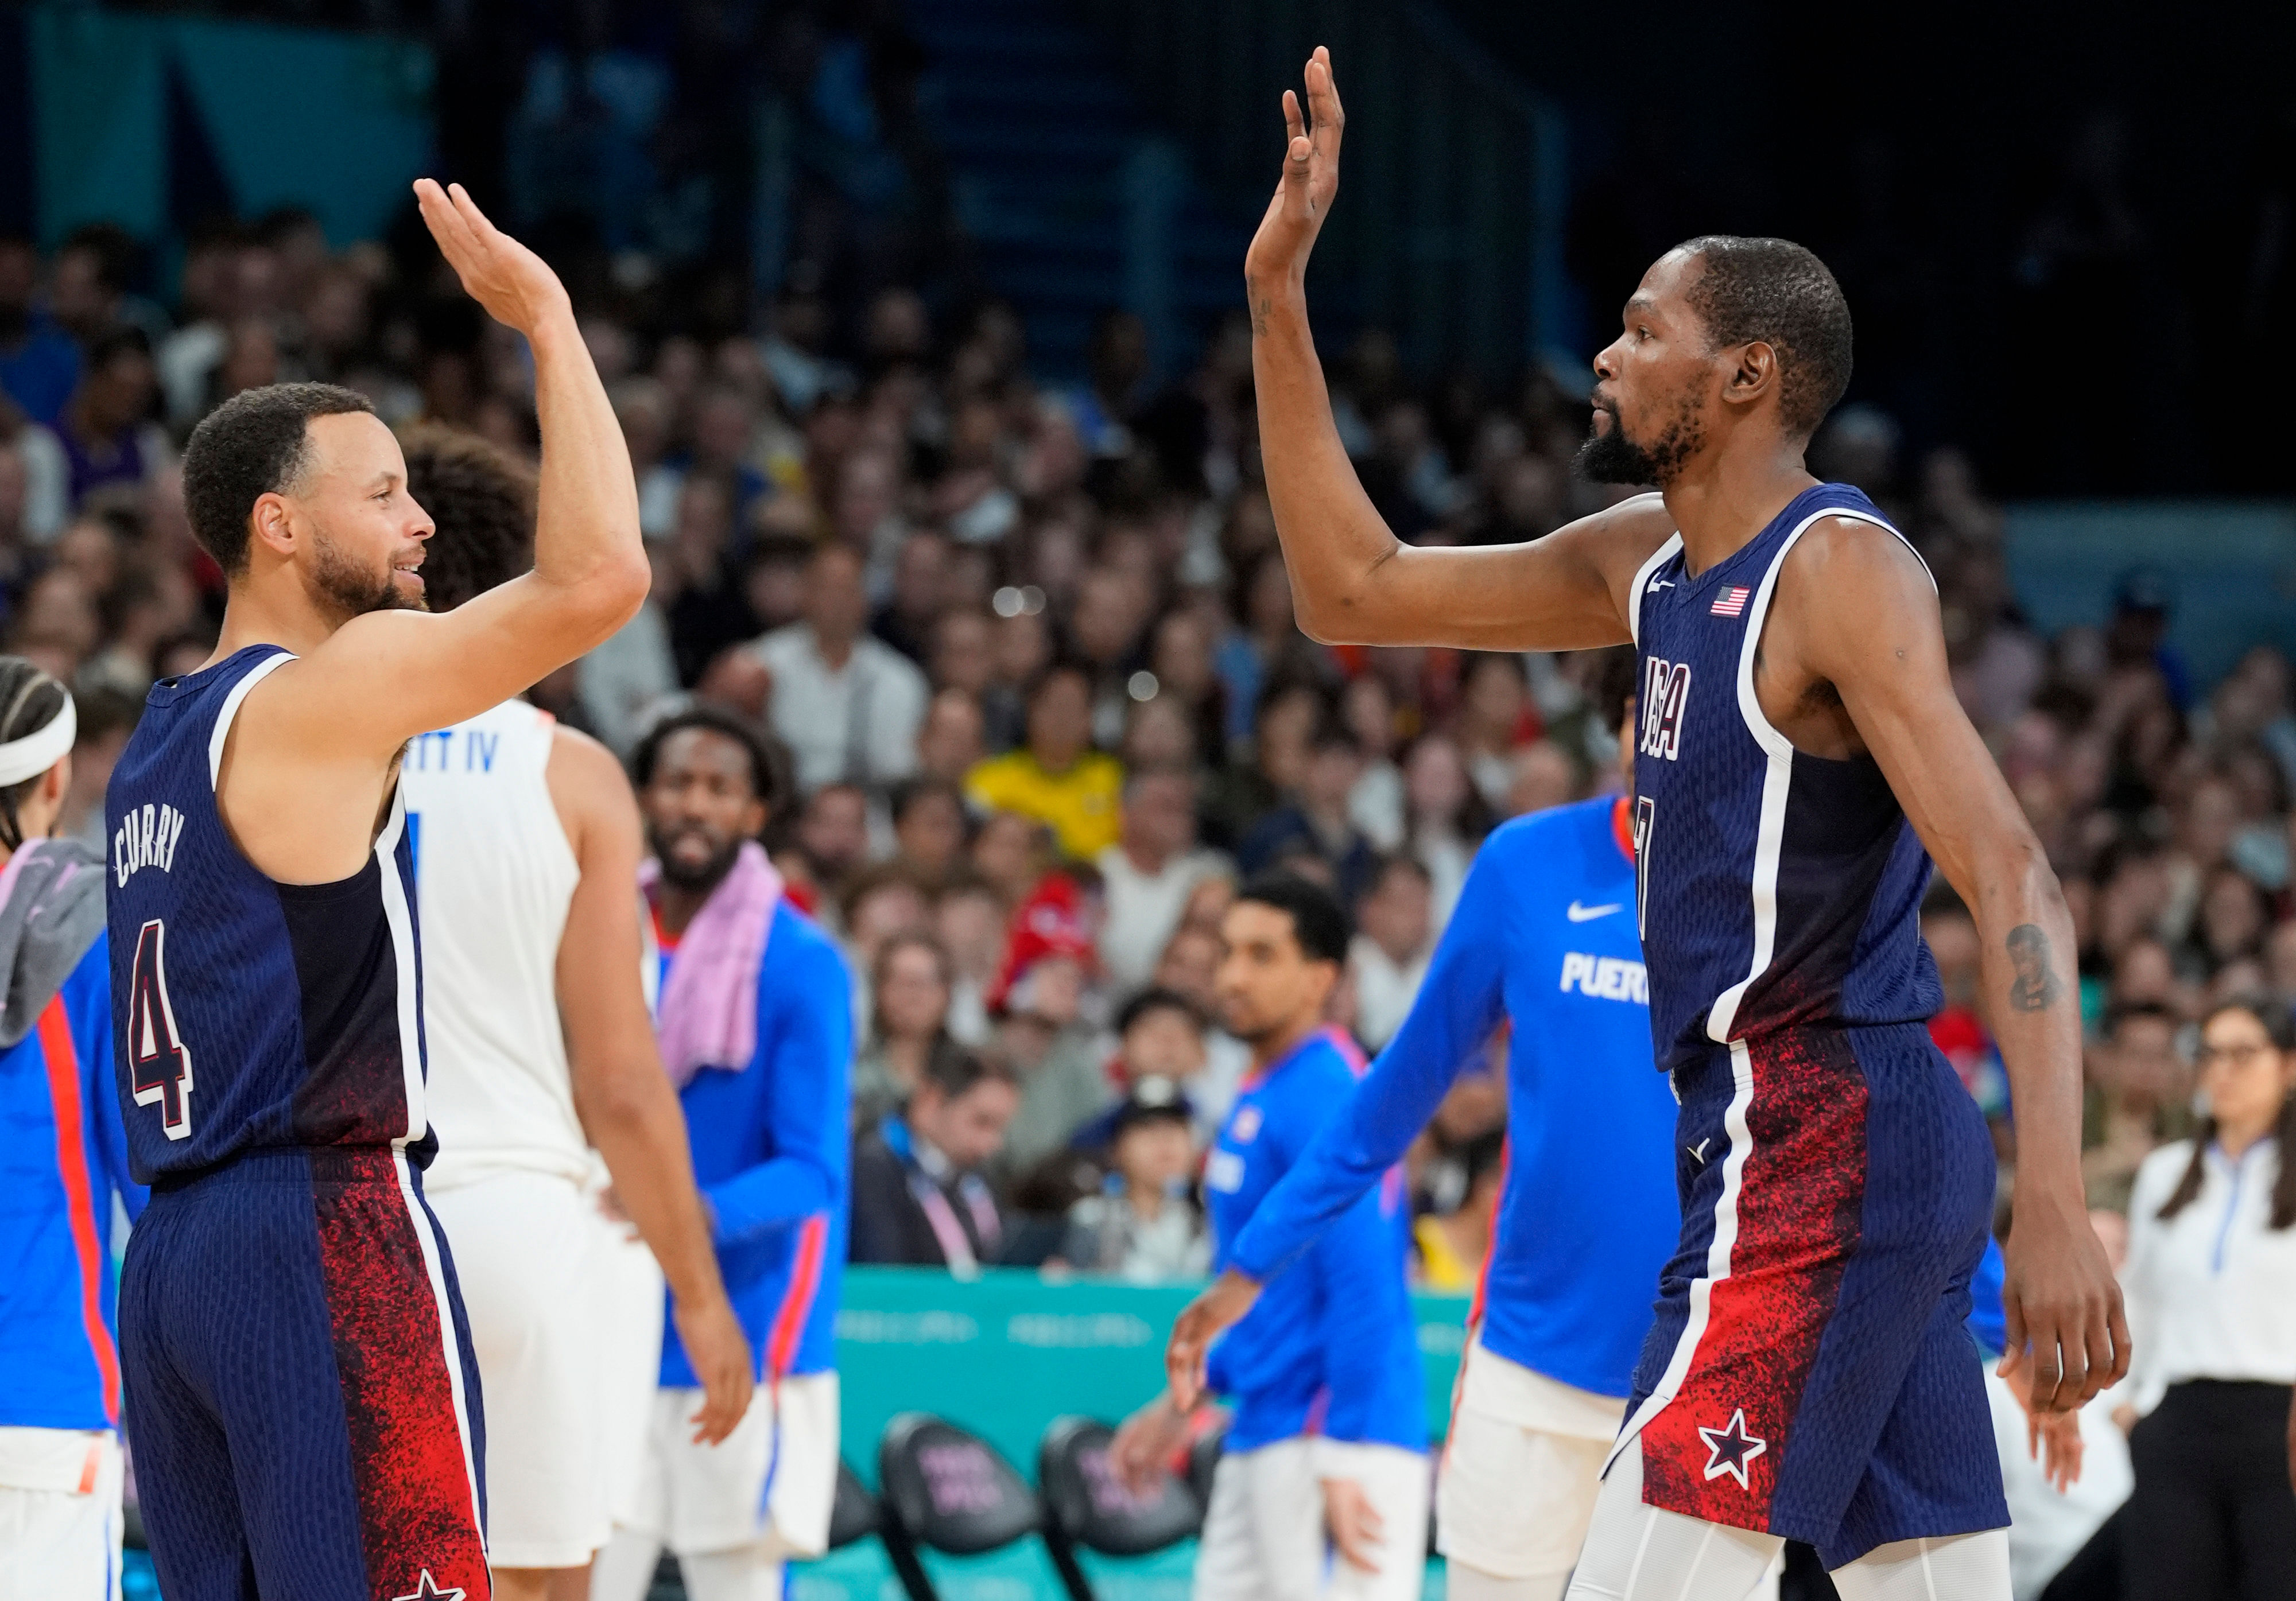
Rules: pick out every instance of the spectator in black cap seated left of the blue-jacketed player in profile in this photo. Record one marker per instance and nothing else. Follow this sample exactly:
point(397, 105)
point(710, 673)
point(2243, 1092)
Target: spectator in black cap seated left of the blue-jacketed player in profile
point(1145, 1226)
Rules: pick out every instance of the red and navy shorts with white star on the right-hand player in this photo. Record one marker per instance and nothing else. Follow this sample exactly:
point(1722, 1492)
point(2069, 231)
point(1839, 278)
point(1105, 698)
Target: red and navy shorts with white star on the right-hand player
point(1810, 1373)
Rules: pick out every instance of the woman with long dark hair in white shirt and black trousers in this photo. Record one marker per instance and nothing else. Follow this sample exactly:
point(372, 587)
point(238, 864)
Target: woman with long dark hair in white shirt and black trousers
point(2212, 1306)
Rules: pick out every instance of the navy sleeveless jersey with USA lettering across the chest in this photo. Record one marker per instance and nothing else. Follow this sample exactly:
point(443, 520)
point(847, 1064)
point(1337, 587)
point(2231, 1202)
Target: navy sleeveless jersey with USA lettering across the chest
point(1776, 889)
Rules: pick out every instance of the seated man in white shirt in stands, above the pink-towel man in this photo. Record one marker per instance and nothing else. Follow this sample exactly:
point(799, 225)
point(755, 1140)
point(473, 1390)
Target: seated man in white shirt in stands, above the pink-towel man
point(846, 703)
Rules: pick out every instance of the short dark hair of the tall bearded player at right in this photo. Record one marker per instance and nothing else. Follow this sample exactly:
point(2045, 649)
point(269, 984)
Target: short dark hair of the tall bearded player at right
point(1778, 292)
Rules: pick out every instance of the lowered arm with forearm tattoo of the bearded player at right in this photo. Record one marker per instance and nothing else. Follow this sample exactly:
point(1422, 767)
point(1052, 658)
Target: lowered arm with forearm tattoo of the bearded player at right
point(1865, 620)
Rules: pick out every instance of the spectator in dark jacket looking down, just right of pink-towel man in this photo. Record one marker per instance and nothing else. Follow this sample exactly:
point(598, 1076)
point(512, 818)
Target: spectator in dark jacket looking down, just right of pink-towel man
point(920, 1189)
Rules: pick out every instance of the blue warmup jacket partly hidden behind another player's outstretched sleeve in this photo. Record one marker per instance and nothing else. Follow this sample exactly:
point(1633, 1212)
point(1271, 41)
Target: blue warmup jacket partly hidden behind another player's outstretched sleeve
point(1331, 1348)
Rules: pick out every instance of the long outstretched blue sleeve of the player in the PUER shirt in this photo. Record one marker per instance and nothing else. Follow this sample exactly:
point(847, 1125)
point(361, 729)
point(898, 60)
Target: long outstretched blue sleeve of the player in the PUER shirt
point(1457, 1010)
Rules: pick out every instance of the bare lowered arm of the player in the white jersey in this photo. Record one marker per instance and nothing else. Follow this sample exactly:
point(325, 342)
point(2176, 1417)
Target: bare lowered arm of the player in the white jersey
point(621, 1093)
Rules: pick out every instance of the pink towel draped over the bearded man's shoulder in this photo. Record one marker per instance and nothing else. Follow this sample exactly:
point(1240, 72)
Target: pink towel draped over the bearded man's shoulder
point(708, 1013)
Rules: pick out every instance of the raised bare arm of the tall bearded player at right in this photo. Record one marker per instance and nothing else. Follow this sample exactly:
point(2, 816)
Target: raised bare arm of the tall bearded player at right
point(1353, 581)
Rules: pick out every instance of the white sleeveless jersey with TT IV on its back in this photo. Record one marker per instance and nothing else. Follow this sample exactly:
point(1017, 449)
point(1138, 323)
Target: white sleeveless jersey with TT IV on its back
point(495, 877)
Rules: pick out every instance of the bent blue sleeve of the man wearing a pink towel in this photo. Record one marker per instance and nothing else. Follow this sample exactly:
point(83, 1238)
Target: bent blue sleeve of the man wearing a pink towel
point(807, 1045)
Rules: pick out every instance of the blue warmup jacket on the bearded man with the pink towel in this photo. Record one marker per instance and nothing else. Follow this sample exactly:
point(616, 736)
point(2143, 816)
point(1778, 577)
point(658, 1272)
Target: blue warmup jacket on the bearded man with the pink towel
point(773, 1155)
